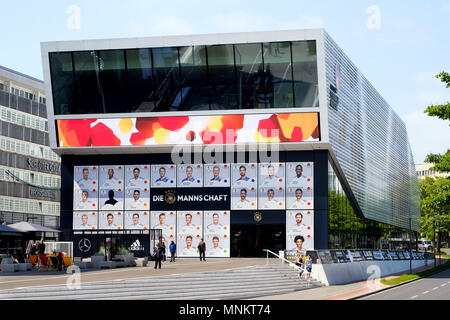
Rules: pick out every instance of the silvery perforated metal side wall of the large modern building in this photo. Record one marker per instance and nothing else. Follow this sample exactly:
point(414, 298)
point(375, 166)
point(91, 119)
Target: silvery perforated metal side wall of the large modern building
point(371, 144)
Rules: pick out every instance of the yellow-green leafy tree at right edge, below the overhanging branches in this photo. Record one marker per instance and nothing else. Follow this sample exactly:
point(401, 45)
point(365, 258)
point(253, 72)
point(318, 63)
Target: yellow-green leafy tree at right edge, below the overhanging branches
point(435, 202)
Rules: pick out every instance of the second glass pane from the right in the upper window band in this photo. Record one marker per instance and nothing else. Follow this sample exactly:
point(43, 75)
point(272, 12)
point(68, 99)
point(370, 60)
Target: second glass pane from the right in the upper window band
point(278, 75)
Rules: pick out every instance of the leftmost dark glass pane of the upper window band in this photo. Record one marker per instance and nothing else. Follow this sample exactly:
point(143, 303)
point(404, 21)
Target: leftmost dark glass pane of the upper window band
point(62, 82)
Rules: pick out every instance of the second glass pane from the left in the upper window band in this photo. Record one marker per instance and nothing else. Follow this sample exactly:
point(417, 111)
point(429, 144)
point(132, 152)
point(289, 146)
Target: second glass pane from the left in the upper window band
point(87, 82)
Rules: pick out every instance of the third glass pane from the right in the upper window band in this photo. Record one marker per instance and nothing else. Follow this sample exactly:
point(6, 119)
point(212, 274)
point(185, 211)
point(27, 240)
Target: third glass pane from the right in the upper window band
point(250, 76)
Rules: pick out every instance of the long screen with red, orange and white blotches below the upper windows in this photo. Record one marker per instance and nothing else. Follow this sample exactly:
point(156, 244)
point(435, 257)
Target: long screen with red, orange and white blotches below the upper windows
point(182, 130)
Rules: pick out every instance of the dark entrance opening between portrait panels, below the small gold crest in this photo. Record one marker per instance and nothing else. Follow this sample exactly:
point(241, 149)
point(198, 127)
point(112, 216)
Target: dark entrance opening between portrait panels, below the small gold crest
point(250, 240)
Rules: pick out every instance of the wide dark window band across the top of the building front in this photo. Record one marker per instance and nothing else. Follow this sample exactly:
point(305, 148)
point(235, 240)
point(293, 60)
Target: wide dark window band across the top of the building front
point(241, 76)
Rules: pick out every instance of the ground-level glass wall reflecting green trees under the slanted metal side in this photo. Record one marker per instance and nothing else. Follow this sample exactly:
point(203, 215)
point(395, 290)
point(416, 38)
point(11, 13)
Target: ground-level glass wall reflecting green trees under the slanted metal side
point(347, 230)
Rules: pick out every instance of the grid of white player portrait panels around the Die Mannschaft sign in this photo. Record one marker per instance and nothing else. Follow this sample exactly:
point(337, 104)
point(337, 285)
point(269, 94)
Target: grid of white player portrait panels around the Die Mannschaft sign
point(118, 197)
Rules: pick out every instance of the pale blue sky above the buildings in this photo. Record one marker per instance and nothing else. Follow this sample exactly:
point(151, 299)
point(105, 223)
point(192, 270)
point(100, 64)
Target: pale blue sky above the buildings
point(398, 45)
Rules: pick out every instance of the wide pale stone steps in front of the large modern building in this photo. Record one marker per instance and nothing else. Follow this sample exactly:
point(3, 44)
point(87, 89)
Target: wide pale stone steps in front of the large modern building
point(240, 283)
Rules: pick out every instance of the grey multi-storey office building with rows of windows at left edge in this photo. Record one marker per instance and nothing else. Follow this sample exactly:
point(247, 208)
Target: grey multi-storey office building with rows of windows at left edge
point(29, 169)
